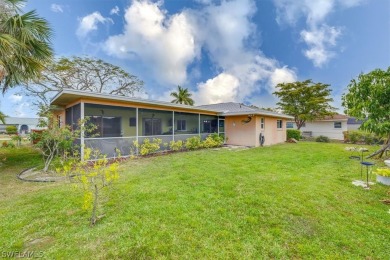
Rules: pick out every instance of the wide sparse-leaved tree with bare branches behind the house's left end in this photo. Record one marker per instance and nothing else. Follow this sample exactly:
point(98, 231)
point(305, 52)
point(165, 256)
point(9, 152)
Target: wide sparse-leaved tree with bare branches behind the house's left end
point(82, 73)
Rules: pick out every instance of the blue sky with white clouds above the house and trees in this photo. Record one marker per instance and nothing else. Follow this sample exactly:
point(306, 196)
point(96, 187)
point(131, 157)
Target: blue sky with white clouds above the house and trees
point(222, 51)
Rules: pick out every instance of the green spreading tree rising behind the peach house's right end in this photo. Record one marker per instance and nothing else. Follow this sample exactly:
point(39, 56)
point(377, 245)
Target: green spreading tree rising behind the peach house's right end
point(305, 101)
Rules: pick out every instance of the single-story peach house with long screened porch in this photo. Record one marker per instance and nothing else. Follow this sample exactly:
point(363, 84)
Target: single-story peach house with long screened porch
point(122, 120)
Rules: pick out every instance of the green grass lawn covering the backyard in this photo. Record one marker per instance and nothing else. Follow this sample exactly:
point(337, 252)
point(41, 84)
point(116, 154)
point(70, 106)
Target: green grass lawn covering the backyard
point(284, 201)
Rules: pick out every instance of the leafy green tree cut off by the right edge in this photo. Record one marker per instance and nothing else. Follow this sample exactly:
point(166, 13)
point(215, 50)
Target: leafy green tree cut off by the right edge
point(368, 99)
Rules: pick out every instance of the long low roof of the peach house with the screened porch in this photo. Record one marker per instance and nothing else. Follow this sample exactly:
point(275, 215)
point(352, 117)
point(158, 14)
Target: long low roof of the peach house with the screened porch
point(68, 96)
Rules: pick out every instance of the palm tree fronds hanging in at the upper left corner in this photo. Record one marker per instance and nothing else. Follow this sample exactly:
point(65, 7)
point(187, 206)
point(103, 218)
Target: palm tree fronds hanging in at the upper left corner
point(24, 44)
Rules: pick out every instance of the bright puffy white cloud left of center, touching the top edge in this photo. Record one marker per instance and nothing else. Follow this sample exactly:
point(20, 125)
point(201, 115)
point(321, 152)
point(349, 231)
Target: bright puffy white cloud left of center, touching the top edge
point(166, 44)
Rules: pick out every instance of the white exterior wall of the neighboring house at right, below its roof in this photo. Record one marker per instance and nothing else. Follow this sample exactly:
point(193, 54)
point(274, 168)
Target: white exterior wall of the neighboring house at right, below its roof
point(326, 128)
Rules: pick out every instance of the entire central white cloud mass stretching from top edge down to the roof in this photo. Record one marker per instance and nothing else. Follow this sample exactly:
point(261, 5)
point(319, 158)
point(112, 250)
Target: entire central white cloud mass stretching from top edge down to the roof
point(169, 44)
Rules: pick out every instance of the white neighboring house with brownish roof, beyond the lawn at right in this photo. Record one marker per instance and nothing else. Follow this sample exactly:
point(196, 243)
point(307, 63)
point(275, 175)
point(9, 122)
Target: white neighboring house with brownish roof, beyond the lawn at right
point(331, 126)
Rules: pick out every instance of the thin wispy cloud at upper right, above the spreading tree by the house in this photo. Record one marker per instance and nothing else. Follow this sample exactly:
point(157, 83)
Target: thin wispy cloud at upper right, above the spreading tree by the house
point(320, 38)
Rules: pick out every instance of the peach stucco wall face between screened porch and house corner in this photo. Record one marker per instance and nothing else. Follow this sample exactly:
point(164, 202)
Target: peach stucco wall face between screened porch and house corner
point(241, 134)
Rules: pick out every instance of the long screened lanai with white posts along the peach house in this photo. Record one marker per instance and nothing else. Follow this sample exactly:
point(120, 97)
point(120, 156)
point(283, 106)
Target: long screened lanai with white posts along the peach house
point(118, 127)
